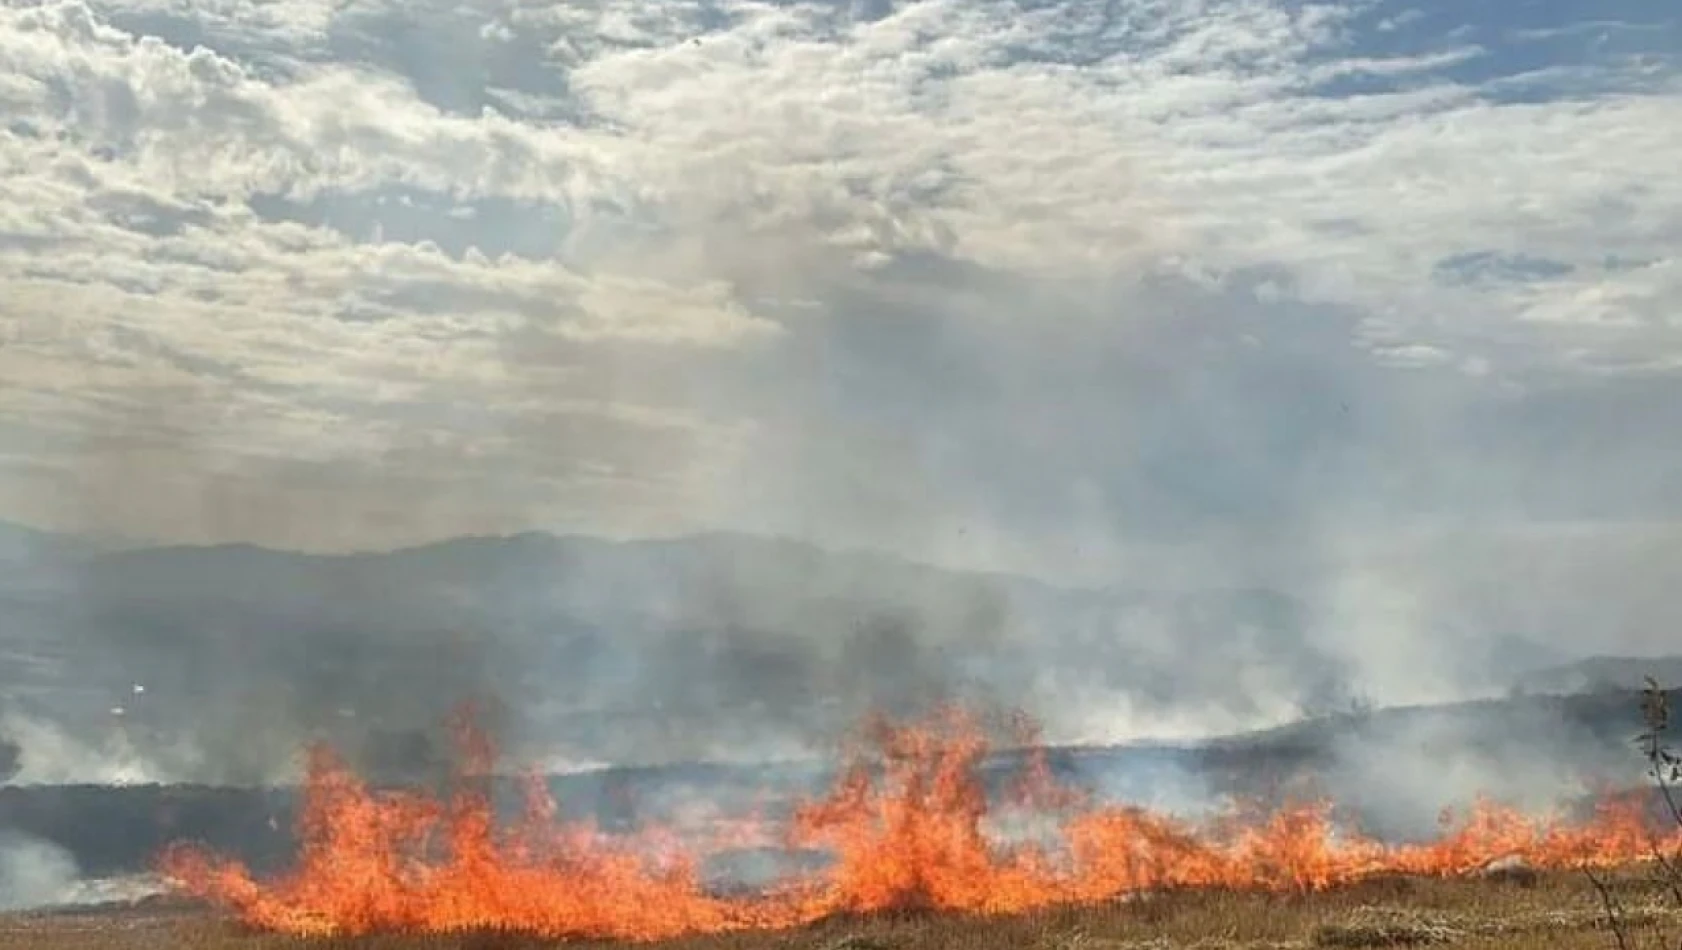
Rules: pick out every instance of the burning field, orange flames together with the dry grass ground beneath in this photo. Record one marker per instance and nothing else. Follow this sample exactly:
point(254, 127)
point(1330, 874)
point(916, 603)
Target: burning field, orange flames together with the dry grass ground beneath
point(918, 852)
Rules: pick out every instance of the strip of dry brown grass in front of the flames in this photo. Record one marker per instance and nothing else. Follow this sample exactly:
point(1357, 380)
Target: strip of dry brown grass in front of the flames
point(1557, 912)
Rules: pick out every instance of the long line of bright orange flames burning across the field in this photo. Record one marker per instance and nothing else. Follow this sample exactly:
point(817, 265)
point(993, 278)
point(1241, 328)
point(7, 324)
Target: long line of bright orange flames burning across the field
point(906, 825)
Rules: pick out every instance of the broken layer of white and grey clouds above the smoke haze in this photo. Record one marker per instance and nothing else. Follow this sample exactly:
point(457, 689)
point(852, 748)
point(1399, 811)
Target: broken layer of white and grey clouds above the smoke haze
point(386, 226)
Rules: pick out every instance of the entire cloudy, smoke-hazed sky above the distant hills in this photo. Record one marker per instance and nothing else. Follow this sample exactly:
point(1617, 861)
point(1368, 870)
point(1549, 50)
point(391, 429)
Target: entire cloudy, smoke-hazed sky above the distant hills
point(1077, 288)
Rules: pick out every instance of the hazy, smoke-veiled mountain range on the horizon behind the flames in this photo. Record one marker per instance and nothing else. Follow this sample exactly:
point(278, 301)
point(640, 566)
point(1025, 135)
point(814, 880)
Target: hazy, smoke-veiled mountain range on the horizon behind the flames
point(216, 662)
